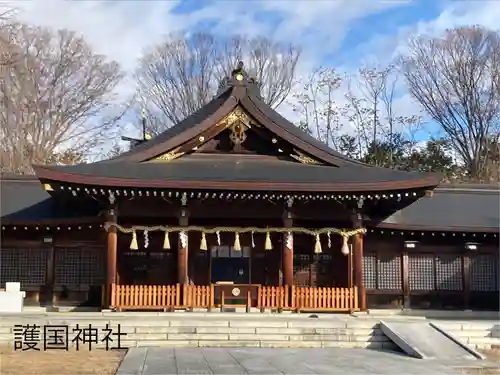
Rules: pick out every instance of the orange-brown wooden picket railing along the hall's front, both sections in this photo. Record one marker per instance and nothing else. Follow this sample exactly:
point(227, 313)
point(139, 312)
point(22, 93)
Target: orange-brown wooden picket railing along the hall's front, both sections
point(128, 297)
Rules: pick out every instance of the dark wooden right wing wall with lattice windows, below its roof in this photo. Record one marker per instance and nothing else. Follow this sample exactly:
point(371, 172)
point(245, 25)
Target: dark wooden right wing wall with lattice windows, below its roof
point(439, 273)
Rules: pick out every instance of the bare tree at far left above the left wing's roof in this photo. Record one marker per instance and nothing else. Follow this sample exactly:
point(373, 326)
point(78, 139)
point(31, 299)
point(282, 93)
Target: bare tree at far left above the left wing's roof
point(57, 98)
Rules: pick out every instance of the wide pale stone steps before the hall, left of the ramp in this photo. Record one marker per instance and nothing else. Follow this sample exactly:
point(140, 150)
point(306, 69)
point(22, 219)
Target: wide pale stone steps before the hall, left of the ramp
point(219, 330)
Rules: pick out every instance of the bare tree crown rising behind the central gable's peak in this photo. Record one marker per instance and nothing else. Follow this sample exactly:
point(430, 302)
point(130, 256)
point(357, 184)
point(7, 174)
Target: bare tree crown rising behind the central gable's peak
point(180, 75)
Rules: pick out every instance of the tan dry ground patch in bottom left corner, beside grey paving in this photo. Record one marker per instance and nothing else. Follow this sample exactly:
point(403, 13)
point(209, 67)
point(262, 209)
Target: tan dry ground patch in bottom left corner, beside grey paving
point(58, 362)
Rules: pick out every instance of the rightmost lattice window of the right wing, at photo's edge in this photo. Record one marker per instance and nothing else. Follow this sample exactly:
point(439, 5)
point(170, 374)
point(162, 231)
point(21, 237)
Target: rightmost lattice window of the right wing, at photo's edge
point(484, 273)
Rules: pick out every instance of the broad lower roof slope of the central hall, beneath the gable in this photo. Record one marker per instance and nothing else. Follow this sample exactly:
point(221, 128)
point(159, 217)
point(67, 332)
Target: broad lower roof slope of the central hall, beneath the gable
point(238, 168)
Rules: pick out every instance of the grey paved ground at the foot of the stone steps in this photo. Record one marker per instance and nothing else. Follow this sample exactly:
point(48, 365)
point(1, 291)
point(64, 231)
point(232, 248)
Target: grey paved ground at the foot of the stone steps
point(218, 361)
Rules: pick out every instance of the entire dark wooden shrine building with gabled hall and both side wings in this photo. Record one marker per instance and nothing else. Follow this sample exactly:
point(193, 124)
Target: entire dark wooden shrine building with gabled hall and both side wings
point(236, 206)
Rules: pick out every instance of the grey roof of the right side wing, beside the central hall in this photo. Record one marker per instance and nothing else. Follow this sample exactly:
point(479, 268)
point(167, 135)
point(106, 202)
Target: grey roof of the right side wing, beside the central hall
point(453, 208)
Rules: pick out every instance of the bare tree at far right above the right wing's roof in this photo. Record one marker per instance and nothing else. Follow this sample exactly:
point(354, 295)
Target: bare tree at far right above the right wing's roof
point(455, 78)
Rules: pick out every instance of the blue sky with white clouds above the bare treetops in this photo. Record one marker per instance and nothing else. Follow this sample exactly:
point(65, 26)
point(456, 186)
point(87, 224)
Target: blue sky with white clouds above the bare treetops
point(336, 33)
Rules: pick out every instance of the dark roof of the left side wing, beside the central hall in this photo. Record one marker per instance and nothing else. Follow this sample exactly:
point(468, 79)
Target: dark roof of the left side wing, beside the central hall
point(23, 199)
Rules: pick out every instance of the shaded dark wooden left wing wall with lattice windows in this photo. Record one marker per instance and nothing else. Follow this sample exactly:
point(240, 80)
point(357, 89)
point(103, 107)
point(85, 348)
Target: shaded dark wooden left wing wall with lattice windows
point(61, 267)
